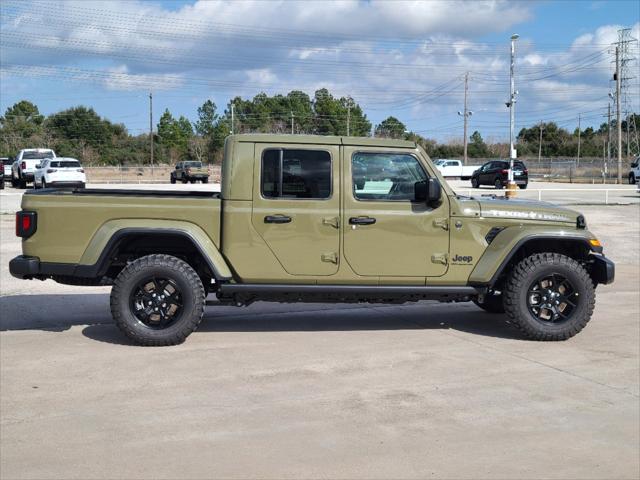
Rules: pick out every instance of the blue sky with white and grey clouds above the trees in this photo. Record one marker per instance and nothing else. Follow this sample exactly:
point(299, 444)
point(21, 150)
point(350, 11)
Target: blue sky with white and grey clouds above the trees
point(405, 59)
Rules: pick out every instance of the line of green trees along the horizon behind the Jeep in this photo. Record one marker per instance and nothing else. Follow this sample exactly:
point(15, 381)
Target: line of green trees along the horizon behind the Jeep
point(81, 133)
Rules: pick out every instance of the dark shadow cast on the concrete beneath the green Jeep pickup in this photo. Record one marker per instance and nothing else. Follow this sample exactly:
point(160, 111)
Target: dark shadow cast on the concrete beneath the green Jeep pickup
point(57, 313)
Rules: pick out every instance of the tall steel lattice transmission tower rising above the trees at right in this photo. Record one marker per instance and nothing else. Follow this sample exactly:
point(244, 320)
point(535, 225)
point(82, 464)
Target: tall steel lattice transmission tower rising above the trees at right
point(627, 66)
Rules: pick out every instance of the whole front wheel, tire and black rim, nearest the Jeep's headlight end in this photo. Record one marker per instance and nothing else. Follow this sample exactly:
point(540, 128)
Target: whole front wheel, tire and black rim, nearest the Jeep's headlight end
point(549, 297)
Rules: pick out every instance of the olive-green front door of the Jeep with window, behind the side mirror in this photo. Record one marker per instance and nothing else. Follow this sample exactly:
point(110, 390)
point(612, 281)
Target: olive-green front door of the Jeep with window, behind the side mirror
point(386, 232)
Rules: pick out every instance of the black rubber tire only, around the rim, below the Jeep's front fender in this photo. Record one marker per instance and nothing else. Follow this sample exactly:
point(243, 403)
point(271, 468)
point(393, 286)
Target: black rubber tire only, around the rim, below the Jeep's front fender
point(523, 276)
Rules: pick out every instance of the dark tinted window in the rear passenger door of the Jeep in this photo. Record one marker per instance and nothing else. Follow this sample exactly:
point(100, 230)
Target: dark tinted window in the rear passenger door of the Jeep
point(296, 173)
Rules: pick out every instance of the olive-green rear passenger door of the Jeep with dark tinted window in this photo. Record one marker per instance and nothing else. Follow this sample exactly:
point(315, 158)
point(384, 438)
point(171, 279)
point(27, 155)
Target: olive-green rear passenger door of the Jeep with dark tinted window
point(296, 206)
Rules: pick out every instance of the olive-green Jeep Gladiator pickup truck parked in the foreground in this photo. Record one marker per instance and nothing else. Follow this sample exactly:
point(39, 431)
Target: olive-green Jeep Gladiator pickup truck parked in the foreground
point(314, 219)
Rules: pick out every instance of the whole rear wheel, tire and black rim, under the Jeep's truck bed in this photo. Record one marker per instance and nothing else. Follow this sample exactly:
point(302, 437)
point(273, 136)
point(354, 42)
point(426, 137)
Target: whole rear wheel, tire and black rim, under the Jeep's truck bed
point(157, 300)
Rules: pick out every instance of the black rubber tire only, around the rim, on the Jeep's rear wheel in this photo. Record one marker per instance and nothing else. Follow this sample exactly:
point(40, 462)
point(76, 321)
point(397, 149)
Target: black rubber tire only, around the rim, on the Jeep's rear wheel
point(192, 297)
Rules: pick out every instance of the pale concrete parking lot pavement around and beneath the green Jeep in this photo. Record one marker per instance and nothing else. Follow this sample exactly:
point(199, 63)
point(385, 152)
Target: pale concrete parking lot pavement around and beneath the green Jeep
point(358, 391)
